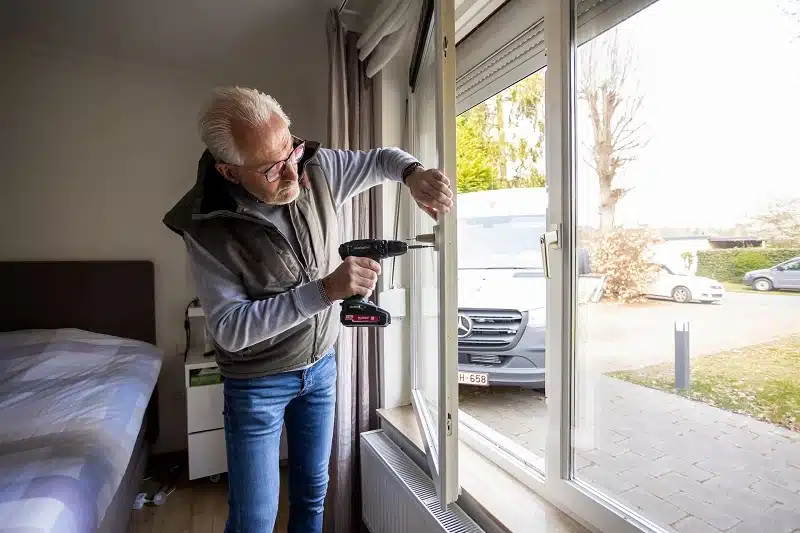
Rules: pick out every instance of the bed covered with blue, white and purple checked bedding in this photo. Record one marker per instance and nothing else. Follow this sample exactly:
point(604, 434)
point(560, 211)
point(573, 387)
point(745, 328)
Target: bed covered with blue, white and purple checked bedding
point(72, 403)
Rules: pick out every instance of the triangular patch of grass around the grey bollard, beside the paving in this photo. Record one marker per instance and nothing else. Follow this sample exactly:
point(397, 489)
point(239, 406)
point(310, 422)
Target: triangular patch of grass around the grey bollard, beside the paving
point(762, 381)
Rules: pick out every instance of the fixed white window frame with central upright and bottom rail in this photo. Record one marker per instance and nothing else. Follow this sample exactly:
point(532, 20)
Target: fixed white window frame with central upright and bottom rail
point(579, 499)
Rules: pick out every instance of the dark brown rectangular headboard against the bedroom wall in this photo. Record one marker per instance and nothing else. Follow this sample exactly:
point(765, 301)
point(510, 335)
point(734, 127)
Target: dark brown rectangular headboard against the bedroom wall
point(110, 297)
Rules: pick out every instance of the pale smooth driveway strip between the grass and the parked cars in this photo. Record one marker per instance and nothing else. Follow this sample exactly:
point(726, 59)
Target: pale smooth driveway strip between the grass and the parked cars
point(624, 337)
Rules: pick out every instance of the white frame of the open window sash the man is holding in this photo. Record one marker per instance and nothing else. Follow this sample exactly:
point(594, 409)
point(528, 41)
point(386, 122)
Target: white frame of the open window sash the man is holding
point(440, 436)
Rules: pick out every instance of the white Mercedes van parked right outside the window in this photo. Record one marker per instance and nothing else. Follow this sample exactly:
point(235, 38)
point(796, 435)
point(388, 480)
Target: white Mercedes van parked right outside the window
point(501, 286)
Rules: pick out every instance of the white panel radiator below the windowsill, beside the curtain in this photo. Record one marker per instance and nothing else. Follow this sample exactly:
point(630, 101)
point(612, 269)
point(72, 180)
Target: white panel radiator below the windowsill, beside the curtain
point(398, 497)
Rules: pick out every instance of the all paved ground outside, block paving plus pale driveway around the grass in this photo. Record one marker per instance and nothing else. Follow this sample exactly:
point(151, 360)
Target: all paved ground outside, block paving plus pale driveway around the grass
point(688, 466)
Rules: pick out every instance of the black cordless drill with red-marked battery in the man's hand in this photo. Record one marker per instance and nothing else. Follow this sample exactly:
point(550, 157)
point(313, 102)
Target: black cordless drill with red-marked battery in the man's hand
point(357, 311)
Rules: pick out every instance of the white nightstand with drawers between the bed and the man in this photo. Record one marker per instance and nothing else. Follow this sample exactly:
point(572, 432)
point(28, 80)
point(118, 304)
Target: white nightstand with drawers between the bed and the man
point(204, 423)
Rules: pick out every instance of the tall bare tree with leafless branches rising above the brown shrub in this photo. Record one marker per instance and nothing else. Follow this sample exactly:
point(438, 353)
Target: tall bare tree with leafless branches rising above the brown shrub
point(614, 106)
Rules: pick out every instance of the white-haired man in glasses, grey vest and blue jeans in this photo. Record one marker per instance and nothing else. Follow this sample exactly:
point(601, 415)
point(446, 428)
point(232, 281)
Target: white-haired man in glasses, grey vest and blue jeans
point(261, 232)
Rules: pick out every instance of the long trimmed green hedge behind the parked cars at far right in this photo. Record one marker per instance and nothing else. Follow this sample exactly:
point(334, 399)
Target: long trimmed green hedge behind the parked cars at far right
point(731, 264)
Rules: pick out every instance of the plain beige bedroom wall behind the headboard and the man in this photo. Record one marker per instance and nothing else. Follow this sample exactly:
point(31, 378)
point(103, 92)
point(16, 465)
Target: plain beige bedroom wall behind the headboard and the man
point(95, 151)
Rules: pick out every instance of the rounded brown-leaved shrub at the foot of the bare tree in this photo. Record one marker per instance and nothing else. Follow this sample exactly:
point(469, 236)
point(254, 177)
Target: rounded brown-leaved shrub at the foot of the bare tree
point(622, 257)
